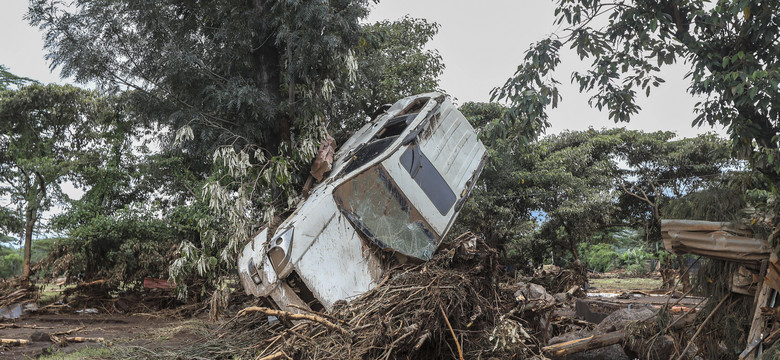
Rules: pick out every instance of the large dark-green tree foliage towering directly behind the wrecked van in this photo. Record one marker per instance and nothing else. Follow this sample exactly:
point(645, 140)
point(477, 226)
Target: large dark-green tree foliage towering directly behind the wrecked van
point(243, 93)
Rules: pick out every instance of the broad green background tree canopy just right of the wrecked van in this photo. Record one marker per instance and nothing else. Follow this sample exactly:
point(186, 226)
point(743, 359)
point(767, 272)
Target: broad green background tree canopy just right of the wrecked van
point(543, 198)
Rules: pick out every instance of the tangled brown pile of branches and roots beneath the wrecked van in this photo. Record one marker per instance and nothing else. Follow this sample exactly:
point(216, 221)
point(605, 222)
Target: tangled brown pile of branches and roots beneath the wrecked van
point(449, 307)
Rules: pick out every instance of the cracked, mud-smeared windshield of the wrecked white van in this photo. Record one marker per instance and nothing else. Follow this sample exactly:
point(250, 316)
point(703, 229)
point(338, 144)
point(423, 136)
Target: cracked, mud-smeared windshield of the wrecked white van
point(377, 207)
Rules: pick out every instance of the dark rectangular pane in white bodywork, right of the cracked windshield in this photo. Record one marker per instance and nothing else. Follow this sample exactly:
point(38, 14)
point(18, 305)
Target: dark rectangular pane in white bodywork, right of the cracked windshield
point(430, 180)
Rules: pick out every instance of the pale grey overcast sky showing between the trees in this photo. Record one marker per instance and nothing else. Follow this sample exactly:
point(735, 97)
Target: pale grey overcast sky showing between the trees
point(481, 42)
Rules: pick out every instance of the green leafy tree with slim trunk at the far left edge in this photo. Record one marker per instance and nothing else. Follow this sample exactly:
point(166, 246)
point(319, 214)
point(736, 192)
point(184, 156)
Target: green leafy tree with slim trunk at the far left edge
point(46, 132)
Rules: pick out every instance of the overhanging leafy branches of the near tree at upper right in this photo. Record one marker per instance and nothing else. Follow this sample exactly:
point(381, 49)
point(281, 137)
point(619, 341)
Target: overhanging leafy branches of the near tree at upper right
point(731, 50)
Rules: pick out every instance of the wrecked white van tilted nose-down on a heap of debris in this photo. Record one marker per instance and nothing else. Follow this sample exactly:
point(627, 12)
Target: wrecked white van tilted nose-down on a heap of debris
point(394, 189)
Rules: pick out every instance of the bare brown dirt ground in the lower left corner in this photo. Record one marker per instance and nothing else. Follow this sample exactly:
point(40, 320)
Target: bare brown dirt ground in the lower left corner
point(145, 330)
